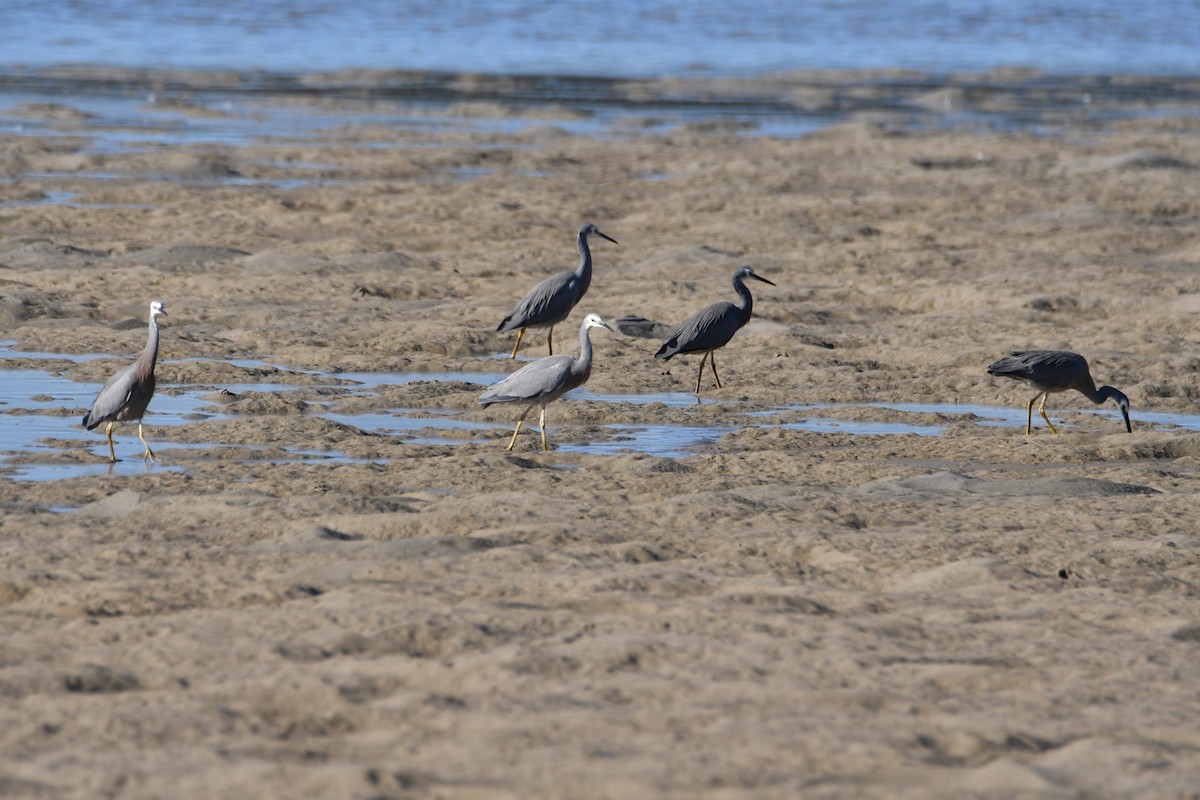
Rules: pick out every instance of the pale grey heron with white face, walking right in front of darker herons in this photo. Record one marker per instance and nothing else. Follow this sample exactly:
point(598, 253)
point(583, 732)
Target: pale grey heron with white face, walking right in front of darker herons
point(545, 381)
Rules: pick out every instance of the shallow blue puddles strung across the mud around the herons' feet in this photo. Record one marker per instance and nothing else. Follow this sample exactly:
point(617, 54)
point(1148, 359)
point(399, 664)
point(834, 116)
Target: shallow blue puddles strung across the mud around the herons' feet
point(40, 414)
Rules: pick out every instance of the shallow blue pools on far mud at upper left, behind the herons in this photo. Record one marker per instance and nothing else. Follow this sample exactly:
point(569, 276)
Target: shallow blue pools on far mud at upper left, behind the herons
point(128, 122)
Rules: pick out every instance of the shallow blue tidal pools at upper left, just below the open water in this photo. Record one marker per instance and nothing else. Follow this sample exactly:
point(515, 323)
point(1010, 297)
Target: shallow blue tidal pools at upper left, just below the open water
point(129, 118)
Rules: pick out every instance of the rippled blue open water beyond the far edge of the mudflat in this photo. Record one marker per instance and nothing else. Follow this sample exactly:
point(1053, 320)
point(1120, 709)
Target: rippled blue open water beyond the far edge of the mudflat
point(610, 39)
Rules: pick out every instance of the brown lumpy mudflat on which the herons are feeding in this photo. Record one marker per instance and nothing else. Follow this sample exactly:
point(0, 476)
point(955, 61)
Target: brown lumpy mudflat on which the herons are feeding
point(782, 613)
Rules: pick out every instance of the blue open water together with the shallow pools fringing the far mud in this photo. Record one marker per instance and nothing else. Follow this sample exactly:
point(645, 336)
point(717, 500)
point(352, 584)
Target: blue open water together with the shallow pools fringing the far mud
point(172, 75)
